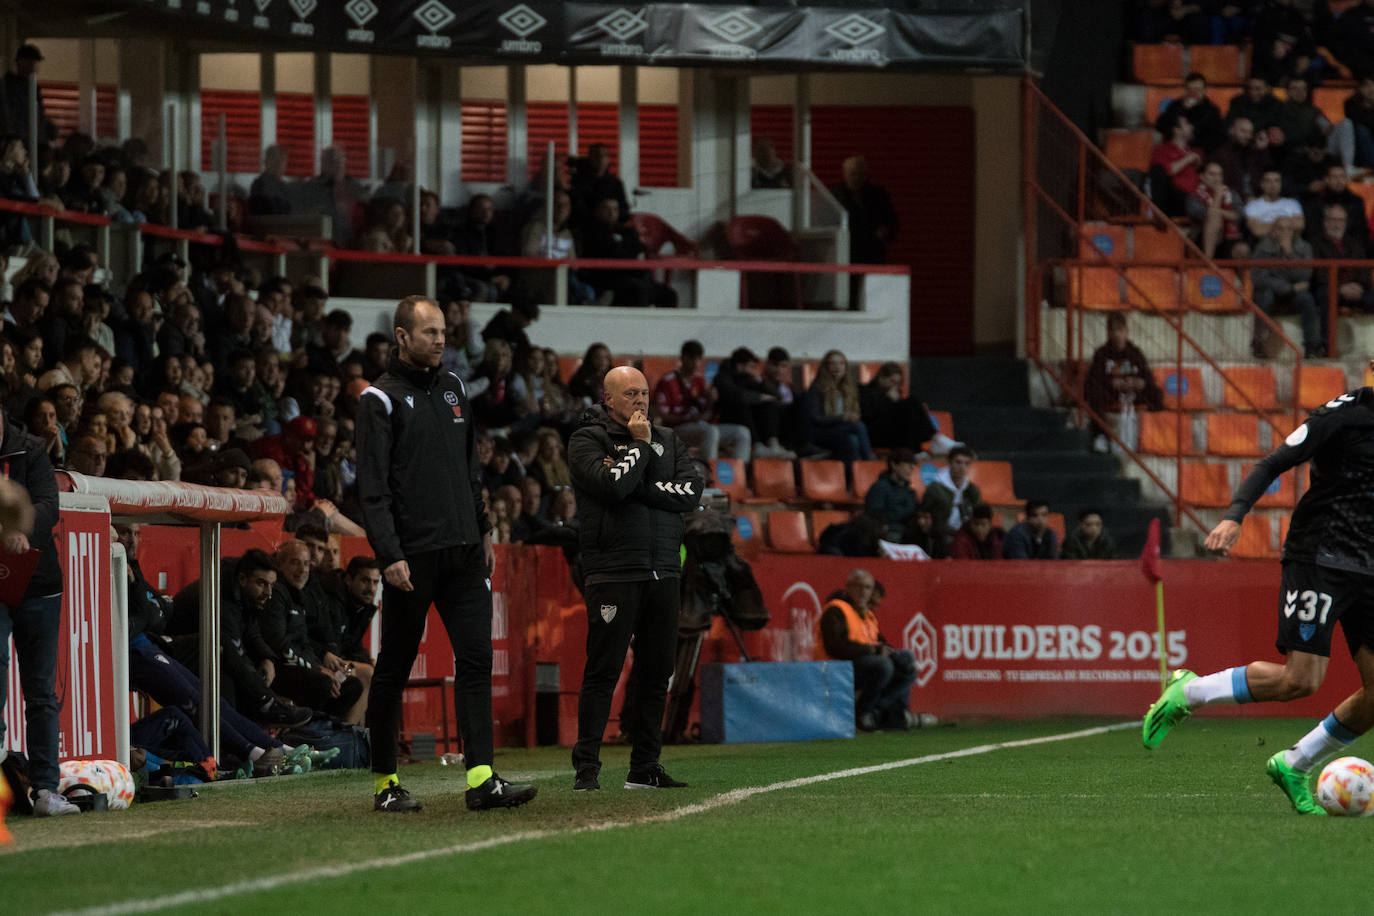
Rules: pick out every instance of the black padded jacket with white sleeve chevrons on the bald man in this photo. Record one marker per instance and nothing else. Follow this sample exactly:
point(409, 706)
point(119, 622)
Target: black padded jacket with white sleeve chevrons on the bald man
point(631, 510)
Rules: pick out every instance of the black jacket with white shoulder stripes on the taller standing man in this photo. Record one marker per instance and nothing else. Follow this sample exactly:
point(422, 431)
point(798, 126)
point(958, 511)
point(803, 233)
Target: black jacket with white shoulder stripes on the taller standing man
point(418, 477)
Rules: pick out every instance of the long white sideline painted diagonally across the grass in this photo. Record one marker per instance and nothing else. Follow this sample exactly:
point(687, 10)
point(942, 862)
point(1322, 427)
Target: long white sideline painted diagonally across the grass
point(734, 797)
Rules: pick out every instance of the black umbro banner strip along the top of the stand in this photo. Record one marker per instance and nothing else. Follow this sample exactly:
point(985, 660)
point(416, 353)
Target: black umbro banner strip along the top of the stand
point(987, 35)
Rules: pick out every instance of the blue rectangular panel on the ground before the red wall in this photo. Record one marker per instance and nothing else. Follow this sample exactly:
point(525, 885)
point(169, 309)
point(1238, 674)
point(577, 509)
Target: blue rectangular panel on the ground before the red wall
point(777, 702)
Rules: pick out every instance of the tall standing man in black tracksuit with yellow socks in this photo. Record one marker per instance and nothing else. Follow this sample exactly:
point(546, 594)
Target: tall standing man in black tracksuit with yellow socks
point(421, 492)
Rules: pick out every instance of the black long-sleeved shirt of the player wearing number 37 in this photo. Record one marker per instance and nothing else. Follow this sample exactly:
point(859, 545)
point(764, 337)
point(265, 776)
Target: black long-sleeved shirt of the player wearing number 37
point(1333, 524)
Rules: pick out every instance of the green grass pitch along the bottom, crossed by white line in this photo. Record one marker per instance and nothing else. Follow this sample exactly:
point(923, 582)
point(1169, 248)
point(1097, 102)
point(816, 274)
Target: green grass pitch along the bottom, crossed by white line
point(1089, 825)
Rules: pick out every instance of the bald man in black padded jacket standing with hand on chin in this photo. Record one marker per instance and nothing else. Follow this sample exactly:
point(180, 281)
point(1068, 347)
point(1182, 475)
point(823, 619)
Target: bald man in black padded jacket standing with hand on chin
point(633, 483)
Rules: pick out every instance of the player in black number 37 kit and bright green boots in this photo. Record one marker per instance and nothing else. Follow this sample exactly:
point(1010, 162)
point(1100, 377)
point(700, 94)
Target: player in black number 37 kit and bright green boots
point(1328, 577)
